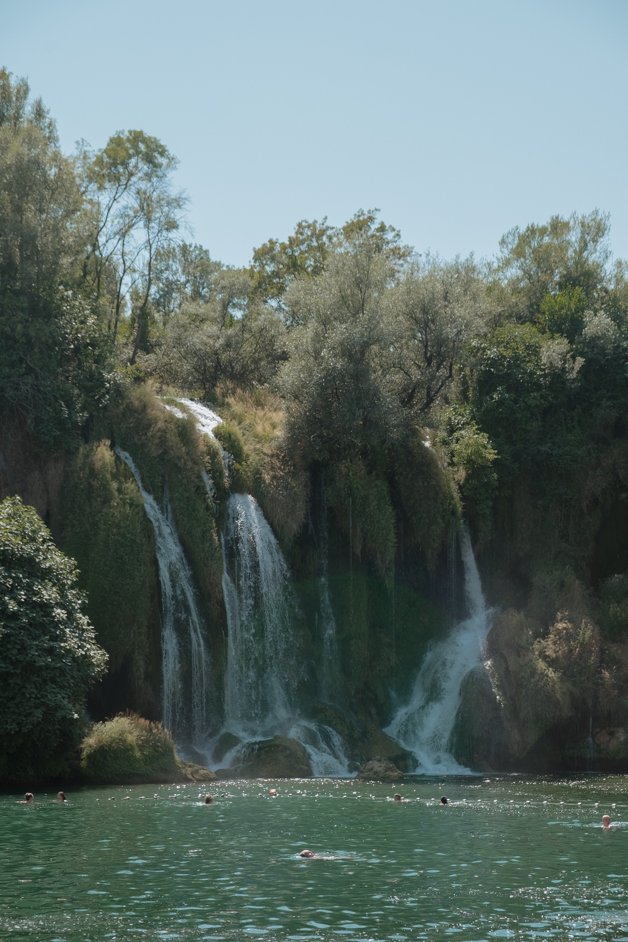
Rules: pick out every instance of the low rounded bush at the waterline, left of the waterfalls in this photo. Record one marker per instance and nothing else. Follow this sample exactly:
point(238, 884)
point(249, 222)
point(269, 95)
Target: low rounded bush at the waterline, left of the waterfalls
point(128, 749)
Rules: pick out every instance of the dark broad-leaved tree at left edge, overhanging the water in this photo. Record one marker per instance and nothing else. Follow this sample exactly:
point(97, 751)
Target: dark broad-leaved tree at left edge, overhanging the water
point(49, 657)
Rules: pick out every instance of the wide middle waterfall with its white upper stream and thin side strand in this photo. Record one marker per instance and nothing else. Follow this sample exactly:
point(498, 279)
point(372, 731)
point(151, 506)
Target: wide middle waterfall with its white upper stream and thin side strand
point(263, 658)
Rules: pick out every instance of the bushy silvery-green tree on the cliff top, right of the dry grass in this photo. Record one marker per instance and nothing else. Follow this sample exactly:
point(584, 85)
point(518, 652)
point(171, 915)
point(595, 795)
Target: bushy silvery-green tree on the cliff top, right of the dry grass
point(335, 382)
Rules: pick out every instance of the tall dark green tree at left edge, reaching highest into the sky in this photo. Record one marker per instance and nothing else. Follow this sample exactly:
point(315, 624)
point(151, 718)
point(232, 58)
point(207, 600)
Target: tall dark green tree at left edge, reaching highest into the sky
point(54, 365)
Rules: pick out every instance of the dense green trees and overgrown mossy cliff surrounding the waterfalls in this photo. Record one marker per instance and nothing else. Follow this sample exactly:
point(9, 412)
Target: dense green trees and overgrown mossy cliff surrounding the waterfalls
point(391, 393)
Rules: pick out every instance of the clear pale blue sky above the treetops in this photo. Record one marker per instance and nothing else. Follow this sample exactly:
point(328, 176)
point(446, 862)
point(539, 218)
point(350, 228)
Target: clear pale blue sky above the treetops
point(458, 119)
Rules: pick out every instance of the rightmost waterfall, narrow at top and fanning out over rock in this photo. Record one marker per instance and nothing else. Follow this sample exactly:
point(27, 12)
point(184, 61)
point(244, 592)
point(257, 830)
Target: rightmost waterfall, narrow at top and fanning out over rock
point(424, 726)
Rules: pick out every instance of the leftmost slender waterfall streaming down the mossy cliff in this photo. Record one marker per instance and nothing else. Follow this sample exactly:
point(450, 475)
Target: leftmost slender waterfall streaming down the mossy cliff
point(185, 659)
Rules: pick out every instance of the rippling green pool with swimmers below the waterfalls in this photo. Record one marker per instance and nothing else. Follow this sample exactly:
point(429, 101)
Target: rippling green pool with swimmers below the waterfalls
point(508, 858)
